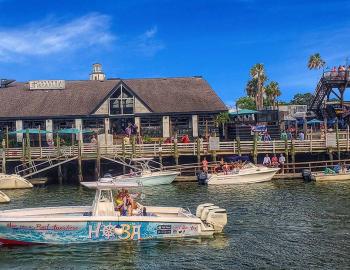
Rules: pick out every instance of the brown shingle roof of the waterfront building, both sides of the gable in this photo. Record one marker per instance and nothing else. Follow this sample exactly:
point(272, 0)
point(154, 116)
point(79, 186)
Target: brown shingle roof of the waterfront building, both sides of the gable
point(82, 97)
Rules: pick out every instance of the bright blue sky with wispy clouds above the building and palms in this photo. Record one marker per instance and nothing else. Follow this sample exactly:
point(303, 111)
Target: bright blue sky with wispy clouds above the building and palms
point(219, 40)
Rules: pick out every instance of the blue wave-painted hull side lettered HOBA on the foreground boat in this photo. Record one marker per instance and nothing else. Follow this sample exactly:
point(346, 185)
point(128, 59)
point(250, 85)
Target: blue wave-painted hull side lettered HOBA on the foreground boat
point(57, 232)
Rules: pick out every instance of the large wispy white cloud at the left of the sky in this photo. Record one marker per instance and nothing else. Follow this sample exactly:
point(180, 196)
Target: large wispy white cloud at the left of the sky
point(50, 37)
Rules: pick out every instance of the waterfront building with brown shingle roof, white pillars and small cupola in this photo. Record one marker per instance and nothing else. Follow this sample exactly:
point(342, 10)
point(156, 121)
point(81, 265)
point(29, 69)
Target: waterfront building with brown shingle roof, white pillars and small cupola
point(159, 107)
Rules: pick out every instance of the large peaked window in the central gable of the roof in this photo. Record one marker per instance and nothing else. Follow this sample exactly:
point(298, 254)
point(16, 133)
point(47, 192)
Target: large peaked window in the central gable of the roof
point(121, 102)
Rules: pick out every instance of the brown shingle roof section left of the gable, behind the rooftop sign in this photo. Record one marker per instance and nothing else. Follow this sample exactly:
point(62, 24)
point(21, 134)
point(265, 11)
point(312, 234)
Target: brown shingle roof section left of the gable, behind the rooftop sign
point(78, 98)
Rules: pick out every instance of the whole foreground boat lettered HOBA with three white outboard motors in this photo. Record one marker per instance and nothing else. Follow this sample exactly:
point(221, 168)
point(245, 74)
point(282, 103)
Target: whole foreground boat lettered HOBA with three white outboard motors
point(101, 222)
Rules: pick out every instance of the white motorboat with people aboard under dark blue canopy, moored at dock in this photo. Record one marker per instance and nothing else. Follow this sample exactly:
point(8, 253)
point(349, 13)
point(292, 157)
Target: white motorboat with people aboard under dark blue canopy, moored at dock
point(248, 174)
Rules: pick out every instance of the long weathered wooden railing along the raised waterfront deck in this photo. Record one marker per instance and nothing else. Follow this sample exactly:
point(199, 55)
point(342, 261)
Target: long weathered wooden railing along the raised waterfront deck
point(183, 149)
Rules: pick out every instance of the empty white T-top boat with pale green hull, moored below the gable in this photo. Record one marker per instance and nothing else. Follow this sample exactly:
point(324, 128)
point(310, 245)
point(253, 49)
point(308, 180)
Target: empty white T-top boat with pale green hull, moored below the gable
point(141, 173)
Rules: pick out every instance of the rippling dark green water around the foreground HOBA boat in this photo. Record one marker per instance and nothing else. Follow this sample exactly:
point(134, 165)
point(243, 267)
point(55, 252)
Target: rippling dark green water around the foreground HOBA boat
point(291, 225)
